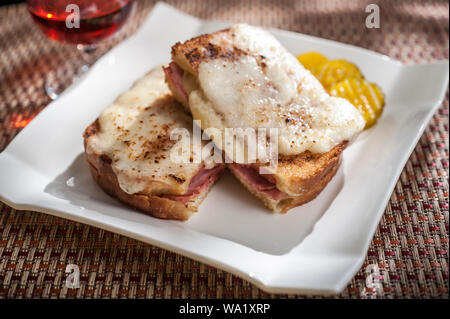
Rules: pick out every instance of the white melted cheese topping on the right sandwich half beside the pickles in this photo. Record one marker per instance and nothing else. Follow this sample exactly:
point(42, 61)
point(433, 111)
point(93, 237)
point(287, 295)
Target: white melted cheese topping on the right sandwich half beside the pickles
point(266, 87)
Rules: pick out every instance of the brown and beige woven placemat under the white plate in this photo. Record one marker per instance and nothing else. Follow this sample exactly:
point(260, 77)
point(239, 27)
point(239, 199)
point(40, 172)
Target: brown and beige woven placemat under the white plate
point(410, 245)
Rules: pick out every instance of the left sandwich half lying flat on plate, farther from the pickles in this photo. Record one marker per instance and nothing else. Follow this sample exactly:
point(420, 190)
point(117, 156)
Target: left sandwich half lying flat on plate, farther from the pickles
point(128, 151)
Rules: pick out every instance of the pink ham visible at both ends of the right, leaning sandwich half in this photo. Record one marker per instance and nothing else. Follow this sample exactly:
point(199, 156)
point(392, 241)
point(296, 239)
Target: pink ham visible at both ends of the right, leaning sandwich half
point(248, 173)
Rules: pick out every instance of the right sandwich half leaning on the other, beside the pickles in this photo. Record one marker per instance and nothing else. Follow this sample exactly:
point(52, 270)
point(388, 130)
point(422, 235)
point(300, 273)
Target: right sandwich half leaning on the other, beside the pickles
point(242, 77)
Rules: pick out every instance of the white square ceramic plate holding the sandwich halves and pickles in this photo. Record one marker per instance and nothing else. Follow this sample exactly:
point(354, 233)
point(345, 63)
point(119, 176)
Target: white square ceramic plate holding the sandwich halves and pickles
point(316, 248)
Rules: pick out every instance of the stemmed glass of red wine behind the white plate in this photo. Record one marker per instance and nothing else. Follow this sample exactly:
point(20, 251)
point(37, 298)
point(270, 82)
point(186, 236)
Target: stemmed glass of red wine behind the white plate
point(83, 23)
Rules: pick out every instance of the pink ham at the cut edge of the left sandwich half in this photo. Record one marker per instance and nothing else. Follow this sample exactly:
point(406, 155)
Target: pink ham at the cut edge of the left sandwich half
point(200, 183)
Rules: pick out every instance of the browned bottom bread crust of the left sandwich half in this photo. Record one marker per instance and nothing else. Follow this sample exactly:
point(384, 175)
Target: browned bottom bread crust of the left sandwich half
point(155, 206)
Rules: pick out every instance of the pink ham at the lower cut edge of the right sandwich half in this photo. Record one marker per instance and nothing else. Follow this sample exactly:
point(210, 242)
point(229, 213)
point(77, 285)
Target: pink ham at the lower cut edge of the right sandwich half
point(263, 184)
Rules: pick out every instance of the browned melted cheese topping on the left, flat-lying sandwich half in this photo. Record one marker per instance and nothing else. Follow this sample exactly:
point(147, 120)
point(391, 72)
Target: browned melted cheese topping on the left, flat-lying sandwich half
point(135, 134)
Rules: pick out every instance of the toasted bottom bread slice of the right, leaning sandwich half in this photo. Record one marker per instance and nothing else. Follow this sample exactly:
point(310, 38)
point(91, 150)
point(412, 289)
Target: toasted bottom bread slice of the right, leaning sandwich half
point(313, 184)
